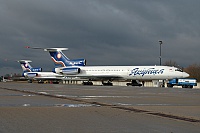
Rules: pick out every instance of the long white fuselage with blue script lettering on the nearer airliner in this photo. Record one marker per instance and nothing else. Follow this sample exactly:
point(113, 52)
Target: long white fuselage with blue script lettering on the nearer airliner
point(130, 72)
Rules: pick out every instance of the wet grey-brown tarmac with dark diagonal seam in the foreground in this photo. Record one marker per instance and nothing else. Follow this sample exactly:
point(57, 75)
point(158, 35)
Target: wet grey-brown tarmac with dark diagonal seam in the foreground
point(59, 108)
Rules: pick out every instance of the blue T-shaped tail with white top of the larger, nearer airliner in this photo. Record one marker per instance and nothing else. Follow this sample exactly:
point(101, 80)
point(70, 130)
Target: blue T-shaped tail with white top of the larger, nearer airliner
point(61, 60)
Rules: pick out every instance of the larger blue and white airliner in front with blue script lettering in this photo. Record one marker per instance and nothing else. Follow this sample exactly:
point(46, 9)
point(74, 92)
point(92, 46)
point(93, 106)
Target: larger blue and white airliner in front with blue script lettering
point(110, 73)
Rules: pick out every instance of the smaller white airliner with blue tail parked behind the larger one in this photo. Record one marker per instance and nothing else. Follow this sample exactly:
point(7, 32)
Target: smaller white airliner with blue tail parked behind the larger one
point(37, 74)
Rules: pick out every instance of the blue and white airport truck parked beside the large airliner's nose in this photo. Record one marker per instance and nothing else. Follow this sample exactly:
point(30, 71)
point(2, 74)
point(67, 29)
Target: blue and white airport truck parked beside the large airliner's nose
point(184, 82)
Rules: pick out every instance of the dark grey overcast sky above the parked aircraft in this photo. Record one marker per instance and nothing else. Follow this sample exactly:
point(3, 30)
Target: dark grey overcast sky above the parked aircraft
point(104, 32)
